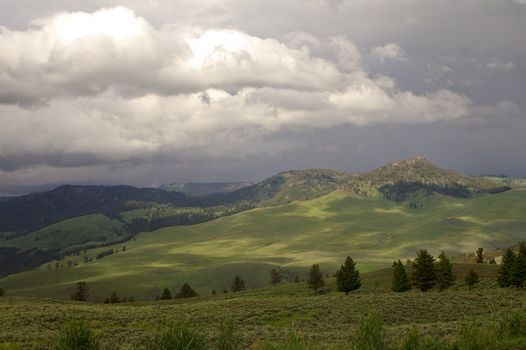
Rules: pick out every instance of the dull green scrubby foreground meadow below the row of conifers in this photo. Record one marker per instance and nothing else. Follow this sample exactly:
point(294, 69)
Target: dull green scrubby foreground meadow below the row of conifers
point(268, 318)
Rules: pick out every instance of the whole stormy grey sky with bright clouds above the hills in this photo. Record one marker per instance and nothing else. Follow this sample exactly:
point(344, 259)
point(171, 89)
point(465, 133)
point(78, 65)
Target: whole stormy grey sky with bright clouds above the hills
point(149, 92)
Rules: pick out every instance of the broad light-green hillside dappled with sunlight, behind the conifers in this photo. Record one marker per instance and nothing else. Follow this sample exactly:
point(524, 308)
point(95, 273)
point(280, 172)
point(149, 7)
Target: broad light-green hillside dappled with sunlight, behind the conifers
point(325, 230)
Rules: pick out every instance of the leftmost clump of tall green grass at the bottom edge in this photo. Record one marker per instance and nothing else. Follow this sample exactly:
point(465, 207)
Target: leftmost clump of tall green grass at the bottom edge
point(77, 336)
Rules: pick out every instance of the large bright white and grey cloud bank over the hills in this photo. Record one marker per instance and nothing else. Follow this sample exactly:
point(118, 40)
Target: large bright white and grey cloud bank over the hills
point(80, 89)
